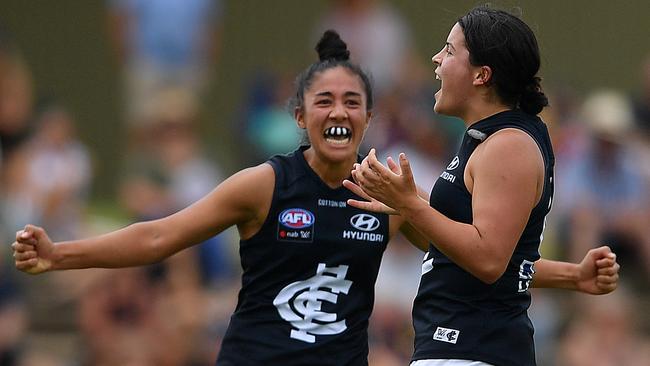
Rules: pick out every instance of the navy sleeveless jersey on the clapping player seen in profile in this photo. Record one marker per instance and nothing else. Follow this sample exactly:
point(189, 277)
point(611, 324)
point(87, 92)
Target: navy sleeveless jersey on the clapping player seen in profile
point(456, 315)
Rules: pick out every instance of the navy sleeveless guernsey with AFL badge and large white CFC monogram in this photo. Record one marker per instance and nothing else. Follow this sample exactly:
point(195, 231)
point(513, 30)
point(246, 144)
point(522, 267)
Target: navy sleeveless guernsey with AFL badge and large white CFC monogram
point(308, 276)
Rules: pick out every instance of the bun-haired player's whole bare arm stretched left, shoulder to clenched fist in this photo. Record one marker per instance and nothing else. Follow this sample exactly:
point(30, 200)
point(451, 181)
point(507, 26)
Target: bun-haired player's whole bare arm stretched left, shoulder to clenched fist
point(237, 201)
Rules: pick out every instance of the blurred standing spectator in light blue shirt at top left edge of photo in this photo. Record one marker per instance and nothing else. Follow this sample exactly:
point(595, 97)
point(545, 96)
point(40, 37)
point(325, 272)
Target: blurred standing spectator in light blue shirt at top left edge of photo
point(163, 43)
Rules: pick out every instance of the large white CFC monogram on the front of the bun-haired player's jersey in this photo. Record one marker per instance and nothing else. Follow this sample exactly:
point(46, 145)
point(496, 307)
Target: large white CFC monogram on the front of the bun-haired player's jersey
point(300, 303)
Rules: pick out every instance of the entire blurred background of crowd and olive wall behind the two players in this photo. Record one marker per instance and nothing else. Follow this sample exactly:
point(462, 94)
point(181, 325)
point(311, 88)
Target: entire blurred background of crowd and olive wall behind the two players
point(104, 121)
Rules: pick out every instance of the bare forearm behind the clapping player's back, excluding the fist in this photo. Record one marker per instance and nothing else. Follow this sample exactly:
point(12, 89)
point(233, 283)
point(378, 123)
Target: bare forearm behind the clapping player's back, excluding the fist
point(554, 274)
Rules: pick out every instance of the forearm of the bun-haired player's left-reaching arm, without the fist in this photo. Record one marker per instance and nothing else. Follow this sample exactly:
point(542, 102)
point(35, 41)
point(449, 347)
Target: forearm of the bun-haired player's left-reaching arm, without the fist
point(134, 245)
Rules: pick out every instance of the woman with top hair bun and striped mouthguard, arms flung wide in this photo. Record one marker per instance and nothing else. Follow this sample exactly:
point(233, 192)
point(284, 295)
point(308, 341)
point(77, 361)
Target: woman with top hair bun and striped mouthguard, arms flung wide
point(309, 260)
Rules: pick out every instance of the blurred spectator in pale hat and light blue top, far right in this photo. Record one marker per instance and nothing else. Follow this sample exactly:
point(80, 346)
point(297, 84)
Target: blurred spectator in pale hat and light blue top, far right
point(604, 193)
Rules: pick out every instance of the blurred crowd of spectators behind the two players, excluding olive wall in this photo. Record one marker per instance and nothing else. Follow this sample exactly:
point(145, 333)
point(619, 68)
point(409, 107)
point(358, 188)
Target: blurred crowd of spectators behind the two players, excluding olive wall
point(174, 312)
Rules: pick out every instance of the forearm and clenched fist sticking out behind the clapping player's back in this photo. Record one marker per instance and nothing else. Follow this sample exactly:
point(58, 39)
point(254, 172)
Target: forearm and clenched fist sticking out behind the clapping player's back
point(597, 274)
